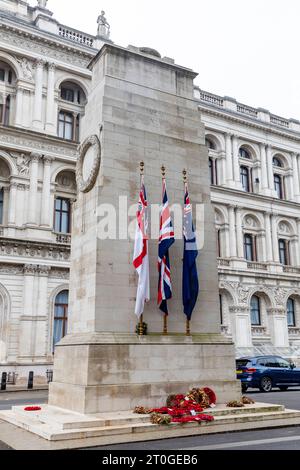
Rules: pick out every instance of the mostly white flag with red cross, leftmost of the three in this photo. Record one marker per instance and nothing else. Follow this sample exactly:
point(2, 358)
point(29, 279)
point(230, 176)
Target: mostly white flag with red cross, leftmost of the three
point(141, 253)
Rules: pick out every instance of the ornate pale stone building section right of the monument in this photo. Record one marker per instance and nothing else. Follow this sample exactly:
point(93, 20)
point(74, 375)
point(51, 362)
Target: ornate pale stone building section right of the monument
point(254, 165)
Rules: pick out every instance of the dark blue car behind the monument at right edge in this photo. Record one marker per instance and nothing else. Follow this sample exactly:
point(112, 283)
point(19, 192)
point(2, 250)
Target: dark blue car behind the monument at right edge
point(266, 372)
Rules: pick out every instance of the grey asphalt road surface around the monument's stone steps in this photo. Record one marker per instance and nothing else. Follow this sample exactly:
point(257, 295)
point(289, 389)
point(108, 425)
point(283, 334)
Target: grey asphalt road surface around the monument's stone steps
point(273, 439)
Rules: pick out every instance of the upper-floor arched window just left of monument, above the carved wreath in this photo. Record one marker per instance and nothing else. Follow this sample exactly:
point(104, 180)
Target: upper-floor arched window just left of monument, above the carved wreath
point(72, 101)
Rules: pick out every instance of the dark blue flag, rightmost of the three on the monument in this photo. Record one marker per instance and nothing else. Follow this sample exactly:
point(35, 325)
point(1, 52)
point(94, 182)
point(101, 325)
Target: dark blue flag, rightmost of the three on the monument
point(190, 281)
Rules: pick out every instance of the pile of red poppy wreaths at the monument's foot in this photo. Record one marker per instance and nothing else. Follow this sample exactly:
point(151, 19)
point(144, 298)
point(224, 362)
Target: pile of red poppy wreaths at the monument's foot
point(183, 408)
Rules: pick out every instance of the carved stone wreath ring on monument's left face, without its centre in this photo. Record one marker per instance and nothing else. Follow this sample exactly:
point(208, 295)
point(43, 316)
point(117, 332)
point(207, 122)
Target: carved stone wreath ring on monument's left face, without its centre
point(86, 185)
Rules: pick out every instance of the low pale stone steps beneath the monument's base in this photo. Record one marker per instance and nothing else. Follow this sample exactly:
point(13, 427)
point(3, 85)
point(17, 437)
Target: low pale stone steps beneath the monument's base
point(139, 431)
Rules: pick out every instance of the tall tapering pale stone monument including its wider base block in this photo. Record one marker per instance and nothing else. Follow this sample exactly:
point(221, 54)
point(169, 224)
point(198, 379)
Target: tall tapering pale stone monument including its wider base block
point(141, 107)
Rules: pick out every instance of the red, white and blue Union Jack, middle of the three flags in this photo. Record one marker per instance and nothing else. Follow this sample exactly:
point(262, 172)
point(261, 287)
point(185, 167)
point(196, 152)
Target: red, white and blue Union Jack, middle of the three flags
point(166, 240)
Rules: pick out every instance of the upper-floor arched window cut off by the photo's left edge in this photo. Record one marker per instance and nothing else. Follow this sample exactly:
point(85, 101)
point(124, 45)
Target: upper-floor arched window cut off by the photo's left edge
point(7, 89)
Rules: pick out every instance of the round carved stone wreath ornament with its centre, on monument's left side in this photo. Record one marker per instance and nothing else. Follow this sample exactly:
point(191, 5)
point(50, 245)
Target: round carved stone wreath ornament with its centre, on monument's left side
point(88, 164)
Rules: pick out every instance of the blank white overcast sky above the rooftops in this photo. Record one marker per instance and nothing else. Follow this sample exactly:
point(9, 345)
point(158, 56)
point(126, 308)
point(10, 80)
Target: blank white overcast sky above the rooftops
point(247, 49)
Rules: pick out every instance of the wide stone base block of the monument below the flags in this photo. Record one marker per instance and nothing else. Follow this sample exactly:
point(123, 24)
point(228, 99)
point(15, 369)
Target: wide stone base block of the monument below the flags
point(96, 373)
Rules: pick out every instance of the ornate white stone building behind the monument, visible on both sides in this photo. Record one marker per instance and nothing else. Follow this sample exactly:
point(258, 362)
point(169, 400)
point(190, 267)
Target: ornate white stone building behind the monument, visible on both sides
point(254, 166)
